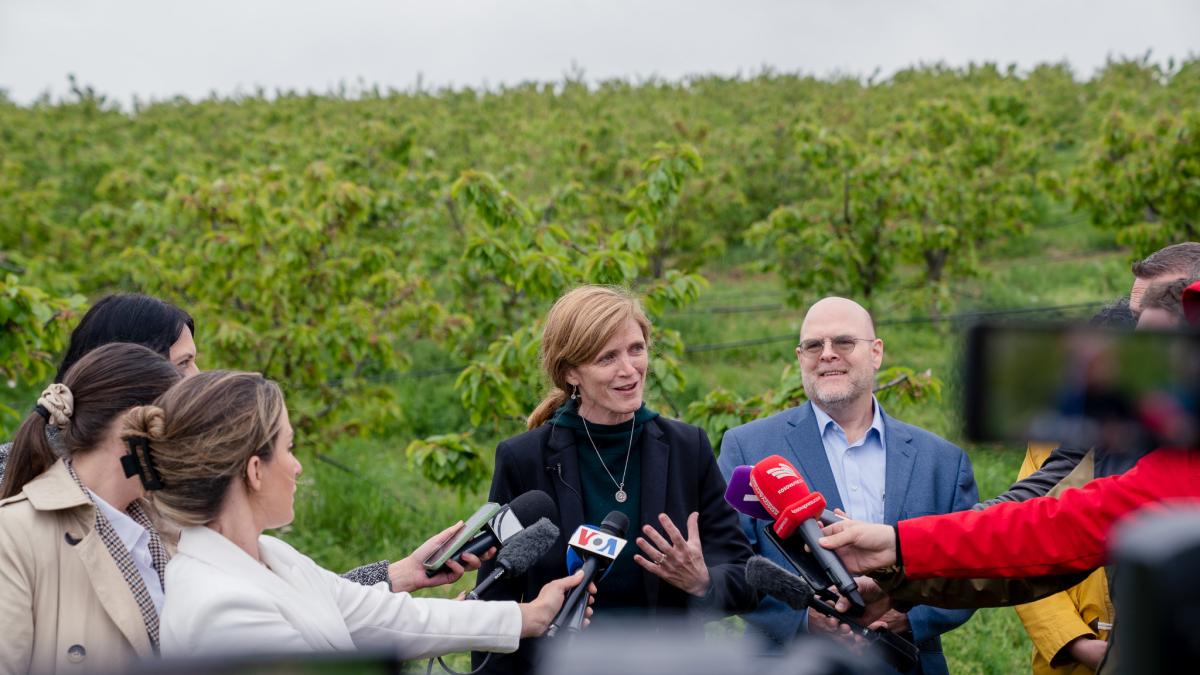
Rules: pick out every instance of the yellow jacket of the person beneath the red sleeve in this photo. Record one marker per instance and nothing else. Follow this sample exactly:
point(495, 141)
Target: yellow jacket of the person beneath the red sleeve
point(1083, 611)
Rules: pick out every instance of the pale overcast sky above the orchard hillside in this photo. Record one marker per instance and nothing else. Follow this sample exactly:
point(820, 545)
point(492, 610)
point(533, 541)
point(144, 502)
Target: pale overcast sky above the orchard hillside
point(161, 49)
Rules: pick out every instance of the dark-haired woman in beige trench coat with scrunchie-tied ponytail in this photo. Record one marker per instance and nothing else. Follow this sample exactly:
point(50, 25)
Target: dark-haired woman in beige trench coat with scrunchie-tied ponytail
point(81, 558)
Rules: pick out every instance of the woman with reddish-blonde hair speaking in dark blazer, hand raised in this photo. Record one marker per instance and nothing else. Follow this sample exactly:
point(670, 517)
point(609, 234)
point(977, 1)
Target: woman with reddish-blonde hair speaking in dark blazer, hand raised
point(595, 447)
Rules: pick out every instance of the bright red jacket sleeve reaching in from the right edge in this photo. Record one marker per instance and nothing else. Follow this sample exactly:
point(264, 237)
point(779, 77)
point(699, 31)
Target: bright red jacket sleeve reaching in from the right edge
point(1046, 535)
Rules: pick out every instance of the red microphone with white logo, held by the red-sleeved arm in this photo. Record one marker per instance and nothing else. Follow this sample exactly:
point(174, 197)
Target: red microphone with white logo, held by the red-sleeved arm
point(784, 495)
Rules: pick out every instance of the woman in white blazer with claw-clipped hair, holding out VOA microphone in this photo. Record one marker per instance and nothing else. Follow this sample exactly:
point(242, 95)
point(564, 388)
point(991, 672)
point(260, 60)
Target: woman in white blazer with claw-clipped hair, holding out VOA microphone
point(218, 450)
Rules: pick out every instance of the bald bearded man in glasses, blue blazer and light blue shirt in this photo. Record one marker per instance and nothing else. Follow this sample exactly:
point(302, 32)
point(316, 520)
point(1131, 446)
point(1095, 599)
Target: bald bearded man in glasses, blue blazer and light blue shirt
point(866, 463)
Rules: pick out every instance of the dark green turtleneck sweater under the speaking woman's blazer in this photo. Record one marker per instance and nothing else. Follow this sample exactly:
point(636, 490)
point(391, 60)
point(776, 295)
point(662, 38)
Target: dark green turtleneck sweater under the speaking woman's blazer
point(622, 587)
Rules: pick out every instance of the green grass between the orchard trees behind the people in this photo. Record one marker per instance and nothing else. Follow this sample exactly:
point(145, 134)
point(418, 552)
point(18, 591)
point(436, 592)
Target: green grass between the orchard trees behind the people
point(373, 506)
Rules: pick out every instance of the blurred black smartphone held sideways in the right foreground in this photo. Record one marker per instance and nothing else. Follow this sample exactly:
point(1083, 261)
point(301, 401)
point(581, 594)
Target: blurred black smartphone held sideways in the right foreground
point(1082, 386)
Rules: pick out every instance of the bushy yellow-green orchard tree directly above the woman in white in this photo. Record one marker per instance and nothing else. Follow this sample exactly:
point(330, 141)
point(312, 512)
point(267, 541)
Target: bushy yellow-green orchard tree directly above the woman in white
point(286, 277)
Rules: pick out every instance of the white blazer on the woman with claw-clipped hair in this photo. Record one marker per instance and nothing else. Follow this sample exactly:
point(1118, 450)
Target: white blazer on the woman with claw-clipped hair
point(223, 601)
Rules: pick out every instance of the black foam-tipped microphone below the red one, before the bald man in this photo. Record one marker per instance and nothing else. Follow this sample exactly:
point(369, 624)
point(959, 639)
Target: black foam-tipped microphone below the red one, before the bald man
point(781, 584)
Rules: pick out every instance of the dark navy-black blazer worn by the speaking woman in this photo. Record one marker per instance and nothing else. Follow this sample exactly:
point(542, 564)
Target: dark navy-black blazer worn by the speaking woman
point(680, 476)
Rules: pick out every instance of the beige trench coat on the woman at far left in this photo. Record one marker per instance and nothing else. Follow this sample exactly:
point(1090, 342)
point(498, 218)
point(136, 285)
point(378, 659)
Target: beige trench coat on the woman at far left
point(64, 605)
